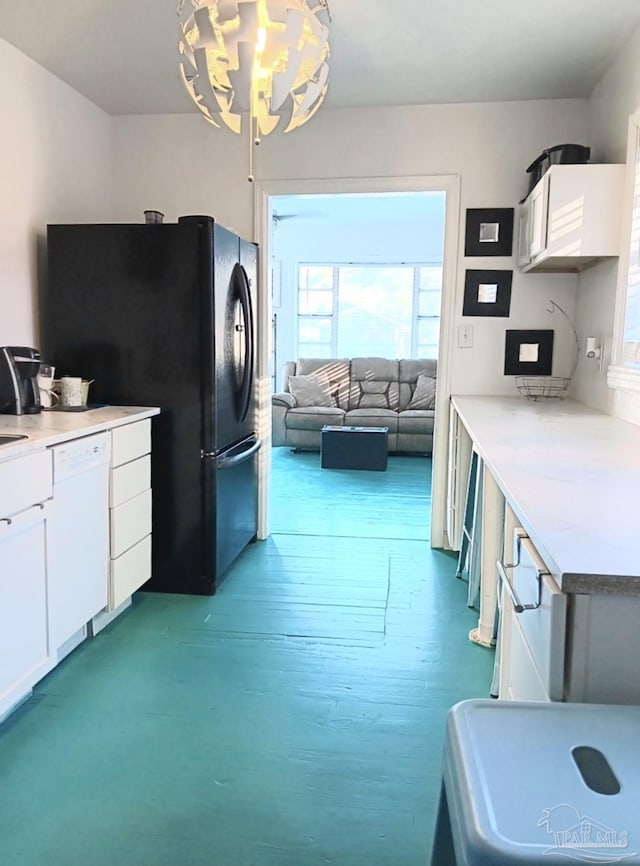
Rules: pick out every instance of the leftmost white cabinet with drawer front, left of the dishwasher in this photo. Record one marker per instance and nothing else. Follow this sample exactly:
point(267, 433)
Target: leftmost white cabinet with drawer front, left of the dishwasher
point(26, 506)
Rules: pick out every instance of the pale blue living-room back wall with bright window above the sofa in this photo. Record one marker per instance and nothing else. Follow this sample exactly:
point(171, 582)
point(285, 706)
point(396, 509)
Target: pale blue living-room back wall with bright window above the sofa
point(355, 275)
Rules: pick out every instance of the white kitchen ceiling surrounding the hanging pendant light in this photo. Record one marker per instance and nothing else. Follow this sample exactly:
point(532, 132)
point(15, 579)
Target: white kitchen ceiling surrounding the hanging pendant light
point(122, 54)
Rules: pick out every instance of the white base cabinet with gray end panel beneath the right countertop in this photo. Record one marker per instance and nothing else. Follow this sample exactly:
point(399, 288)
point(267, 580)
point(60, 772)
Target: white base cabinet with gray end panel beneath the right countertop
point(563, 647)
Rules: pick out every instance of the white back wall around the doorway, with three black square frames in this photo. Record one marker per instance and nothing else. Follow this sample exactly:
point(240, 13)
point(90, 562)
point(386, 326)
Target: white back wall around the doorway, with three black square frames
point(180, 164)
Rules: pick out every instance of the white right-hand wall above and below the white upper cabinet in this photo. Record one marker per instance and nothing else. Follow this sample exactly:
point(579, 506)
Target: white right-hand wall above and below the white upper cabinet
point(613, 100)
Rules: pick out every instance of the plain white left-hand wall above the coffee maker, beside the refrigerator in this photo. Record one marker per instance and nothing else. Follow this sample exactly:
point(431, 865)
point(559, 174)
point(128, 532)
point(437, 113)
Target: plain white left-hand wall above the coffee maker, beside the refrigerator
point(55, 166)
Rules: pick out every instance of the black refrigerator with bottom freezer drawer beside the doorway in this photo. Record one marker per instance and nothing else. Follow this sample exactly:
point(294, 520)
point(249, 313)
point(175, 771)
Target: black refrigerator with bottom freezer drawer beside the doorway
point(163, 315)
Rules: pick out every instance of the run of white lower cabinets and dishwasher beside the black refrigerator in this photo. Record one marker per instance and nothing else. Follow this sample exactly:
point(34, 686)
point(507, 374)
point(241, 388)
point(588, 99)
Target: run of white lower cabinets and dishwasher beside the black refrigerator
point(75, 544)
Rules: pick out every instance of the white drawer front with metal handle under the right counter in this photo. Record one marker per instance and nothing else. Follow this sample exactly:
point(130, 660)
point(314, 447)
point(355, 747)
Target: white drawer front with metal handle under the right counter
point(543, 628)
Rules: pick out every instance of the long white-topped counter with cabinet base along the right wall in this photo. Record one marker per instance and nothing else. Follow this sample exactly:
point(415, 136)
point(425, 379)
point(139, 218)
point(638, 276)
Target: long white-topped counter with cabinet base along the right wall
point(559, 501)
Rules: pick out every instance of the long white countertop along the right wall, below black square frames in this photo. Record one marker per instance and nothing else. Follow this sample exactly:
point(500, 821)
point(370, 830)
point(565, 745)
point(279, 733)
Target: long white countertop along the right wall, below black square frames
point(572, 476)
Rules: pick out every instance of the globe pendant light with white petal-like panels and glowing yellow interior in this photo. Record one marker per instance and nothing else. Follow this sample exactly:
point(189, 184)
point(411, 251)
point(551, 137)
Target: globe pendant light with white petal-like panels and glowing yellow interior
point(248, 64)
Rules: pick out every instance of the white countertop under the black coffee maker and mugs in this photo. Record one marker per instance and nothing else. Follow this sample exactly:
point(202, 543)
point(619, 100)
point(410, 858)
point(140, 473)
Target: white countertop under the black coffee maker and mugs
point(52, 427)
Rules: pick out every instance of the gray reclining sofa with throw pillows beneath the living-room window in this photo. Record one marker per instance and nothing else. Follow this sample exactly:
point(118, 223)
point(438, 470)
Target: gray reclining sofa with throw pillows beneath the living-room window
point(357, 392)
